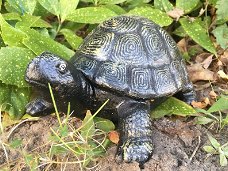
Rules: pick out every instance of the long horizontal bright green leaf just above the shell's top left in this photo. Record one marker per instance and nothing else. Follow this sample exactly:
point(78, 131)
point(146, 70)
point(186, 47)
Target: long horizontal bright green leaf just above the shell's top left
point(91, 15)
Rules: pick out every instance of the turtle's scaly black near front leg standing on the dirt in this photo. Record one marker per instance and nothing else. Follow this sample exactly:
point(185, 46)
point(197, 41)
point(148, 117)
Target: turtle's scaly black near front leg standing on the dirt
point(135, 132)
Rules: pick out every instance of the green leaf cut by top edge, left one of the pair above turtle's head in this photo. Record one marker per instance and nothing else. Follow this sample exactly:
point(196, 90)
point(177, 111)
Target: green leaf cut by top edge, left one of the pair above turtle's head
point(52, 6)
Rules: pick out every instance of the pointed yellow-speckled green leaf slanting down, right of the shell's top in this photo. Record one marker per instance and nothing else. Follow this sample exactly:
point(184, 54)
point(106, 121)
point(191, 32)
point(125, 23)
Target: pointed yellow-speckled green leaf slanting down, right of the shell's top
point(198, 34)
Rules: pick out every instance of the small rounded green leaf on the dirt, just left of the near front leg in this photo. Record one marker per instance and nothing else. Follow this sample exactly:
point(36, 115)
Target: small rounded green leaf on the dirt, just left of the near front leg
point(104, 124)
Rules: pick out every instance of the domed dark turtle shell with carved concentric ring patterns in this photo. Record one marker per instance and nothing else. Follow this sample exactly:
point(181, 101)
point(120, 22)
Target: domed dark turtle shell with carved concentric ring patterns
point(133, 56)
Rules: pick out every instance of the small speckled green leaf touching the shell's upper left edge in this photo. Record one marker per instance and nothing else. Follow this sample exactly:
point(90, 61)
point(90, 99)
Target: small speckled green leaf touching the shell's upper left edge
point(71, 38)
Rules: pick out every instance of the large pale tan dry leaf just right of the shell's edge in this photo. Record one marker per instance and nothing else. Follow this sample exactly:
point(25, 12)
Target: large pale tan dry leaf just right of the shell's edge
point(197, 72)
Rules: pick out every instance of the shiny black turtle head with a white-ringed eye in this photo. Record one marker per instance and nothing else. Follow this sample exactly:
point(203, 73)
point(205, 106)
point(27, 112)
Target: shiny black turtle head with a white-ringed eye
point(49, 68)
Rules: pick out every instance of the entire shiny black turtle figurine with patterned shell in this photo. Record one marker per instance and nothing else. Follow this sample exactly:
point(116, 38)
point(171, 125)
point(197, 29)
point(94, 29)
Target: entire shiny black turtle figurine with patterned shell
point(129, 60)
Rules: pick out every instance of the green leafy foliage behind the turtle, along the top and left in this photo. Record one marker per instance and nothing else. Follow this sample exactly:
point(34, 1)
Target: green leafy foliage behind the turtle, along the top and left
point(29, 27)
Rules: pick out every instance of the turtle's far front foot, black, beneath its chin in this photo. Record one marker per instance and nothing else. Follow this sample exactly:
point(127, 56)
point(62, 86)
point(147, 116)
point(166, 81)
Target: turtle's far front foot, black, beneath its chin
point(39, 107)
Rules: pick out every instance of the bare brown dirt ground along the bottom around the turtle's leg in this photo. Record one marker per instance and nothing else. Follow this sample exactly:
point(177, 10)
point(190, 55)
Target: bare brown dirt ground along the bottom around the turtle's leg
point(178, 147)
